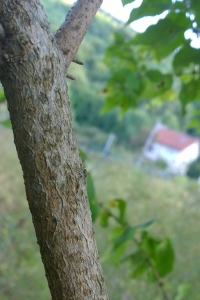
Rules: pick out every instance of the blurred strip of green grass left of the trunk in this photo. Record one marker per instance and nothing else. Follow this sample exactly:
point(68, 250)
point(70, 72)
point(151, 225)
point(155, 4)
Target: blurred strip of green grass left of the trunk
point(21, 270)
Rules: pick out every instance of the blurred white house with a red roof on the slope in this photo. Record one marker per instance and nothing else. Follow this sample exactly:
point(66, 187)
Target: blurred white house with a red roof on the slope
point(177, 149)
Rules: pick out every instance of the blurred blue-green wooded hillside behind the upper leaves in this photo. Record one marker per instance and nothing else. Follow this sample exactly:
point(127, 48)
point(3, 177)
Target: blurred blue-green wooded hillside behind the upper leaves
point(86, 93)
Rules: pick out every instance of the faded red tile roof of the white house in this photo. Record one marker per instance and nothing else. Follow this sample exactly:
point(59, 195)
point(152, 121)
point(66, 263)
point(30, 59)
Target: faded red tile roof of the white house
point(174, 139)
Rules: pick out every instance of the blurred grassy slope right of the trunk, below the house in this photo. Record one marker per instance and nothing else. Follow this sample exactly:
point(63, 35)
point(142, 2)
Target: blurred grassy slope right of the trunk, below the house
point(176, 206)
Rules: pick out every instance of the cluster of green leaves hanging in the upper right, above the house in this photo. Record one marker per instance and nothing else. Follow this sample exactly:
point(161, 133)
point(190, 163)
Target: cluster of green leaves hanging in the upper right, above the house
point(159, 64)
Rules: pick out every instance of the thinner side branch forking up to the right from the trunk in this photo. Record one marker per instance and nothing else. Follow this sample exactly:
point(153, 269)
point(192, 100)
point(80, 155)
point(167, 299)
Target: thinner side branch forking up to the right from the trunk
point(70, 35)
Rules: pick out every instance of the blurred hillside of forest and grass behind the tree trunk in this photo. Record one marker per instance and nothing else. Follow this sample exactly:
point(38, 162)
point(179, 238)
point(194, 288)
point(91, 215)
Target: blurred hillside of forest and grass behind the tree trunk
point(174, 203)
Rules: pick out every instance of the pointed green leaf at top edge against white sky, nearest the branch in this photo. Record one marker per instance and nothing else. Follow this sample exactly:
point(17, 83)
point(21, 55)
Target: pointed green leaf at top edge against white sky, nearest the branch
point(149, 8)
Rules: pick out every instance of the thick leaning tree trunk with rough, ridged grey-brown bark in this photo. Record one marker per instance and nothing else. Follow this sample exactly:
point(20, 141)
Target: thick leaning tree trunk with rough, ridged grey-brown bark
point(32, 71)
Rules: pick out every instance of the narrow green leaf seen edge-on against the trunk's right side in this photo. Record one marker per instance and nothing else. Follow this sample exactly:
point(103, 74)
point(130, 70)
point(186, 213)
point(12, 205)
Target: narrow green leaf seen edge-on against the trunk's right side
point(94, 207)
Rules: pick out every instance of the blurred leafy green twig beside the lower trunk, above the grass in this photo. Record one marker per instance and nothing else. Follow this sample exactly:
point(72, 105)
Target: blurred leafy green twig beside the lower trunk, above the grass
point(146, 255)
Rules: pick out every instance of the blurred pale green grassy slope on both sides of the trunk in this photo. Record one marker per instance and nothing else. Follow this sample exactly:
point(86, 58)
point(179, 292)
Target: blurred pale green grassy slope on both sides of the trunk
point(175, 204)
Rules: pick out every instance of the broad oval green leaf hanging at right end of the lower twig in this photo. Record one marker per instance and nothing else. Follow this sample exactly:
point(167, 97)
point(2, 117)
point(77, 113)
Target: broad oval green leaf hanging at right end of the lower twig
point(164, 257)
